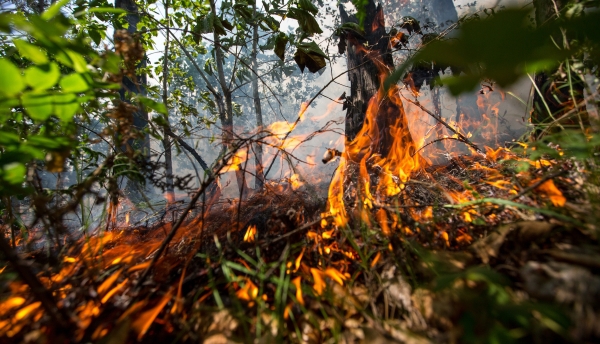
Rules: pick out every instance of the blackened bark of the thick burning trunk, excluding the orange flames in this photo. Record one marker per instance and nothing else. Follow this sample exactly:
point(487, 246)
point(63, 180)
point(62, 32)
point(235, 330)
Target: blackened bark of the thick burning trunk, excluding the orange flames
point(370, 61)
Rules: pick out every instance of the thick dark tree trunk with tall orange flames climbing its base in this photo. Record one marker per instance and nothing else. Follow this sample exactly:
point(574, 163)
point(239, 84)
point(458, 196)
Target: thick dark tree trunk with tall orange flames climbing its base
point(379, 146)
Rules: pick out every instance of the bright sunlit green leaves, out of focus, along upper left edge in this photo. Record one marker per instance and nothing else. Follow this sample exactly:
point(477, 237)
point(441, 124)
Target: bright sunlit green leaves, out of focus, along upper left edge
point(44, 83)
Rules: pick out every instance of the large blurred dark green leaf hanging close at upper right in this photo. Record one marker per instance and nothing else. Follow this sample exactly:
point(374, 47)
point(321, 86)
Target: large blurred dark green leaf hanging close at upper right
point(502, 47)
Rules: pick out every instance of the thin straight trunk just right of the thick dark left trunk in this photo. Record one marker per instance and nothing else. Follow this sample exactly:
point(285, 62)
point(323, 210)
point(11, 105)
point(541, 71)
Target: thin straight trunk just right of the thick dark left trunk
point(170, 195)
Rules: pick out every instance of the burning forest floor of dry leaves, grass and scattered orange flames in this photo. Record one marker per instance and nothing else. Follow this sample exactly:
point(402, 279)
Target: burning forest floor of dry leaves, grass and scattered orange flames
point(478, 250)
